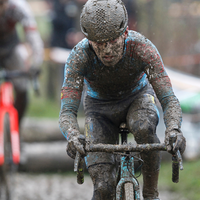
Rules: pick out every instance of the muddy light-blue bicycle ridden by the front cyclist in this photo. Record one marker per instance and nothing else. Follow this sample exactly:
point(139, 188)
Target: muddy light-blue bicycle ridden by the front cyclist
point(128, 185)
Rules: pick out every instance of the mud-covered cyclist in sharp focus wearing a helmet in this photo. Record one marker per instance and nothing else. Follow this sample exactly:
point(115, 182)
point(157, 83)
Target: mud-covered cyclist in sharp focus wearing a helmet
point(122, 73)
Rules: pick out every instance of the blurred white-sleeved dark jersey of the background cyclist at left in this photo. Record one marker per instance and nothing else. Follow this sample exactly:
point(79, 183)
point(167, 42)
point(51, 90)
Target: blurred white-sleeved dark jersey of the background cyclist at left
point(18, 12)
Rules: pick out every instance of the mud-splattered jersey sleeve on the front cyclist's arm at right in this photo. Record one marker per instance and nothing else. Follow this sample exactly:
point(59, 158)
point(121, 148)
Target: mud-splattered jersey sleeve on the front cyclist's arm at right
point(161, 83)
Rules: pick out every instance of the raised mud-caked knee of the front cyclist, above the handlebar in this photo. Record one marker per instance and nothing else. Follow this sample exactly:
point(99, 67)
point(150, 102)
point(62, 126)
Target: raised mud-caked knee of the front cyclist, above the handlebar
point(142, 123)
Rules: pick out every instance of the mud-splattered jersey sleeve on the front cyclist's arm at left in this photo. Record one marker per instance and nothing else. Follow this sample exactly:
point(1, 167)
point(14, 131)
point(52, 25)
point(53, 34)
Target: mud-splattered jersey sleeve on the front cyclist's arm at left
point(71, 91)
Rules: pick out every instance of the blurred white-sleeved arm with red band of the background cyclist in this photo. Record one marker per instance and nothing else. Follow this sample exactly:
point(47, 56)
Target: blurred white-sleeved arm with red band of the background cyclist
point(32, 35)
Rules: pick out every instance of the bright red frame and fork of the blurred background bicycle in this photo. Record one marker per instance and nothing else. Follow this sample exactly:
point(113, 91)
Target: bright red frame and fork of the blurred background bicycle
point(6, 106)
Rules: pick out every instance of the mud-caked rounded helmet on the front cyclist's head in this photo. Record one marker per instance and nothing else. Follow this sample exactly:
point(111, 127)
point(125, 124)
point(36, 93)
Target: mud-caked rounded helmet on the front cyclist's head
point(103, 20)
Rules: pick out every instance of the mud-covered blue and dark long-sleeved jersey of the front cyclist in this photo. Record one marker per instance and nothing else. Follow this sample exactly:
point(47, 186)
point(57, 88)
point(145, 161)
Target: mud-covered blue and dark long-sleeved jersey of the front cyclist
point(141, 63)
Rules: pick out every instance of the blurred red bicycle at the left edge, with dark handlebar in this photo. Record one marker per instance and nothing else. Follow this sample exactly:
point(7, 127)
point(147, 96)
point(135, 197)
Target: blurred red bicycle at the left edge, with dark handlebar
point(9, 131)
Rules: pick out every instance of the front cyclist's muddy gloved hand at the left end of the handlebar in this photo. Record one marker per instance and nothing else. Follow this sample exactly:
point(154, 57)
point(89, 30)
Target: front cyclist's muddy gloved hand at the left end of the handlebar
point(75, 143)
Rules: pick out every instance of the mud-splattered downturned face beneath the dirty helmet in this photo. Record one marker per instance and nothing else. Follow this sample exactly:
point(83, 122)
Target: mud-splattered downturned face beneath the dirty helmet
point(109, 52)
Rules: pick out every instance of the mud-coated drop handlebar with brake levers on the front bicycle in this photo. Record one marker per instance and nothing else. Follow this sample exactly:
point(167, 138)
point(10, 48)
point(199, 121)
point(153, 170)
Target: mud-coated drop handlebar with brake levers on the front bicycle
point(110, 148)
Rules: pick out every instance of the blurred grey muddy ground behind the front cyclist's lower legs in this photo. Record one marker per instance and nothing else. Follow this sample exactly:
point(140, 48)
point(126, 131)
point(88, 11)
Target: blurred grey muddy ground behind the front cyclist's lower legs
point(61, 187)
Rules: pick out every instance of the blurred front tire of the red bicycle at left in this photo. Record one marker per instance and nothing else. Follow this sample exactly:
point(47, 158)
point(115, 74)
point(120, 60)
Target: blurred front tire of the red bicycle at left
point(8, 168)
